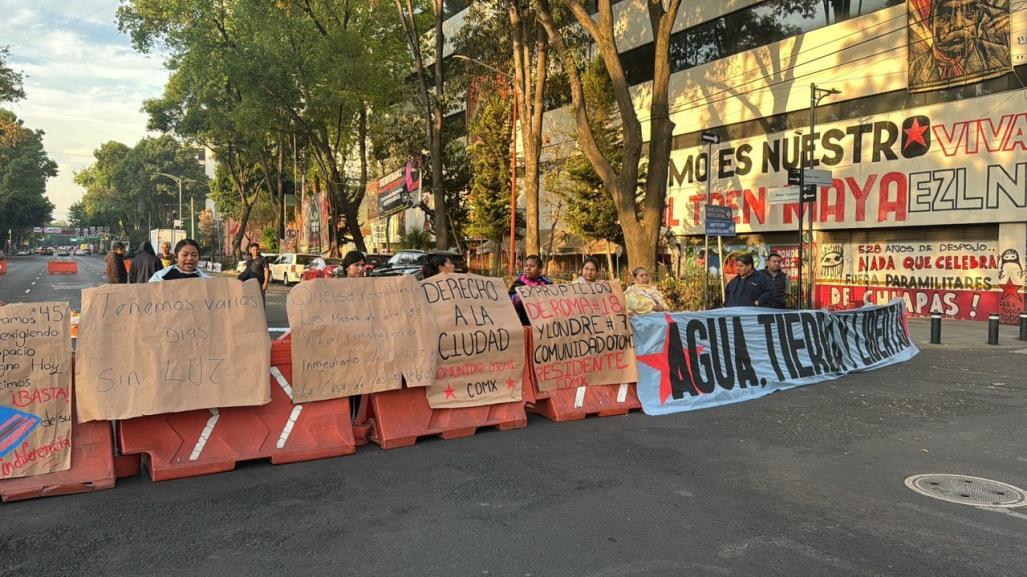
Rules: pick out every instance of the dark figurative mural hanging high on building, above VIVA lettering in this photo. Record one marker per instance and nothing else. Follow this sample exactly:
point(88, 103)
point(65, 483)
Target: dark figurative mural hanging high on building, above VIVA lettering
point(955, 43)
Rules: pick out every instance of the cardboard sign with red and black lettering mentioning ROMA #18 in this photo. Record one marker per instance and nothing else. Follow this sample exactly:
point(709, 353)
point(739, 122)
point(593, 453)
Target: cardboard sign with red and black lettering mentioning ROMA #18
point(581, 335)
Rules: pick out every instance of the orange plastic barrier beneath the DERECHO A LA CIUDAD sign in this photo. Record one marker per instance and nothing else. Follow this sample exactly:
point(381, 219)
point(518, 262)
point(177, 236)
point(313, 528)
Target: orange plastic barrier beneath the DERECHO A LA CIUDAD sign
point(399, 417)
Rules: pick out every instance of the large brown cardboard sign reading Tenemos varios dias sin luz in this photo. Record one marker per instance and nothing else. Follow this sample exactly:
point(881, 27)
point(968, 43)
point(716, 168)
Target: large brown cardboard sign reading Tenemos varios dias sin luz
point(172, 347)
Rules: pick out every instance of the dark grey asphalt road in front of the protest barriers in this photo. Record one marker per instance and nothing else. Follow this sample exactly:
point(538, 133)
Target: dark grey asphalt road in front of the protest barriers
point(803, 483)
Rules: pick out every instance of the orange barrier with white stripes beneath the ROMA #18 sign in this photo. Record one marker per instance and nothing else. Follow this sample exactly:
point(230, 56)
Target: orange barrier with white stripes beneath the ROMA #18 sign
point(577, 404)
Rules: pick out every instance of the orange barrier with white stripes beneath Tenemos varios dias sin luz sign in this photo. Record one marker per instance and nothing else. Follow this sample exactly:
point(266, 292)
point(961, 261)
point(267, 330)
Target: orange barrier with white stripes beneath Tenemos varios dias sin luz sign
point(198, 443)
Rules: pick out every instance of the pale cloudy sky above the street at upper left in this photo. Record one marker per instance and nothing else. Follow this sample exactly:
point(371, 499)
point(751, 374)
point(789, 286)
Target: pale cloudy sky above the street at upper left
point(85, 84)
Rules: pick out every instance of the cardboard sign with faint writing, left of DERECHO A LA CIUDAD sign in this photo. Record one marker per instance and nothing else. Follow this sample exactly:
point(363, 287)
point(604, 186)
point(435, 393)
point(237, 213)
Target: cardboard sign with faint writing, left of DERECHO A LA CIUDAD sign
point(358, 336)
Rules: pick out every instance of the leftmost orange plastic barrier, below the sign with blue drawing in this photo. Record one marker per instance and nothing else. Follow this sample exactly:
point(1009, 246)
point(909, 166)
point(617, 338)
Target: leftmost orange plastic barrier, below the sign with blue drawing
point(92, 468)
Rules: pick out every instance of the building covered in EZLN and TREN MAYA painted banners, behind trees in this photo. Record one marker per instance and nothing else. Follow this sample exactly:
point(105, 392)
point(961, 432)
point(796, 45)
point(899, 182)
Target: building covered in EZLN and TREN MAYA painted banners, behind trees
point(922, 153)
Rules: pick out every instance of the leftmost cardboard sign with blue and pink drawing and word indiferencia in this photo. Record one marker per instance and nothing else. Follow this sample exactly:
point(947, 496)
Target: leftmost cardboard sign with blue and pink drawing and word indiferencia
point(35, 390)
